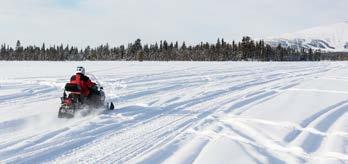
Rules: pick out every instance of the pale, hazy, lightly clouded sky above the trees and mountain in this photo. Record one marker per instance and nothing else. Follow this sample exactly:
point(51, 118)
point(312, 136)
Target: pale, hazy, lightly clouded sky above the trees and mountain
point(94, 22)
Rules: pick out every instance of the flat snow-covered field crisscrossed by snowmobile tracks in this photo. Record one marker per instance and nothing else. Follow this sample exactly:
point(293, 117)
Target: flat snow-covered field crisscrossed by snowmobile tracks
point(179, 112)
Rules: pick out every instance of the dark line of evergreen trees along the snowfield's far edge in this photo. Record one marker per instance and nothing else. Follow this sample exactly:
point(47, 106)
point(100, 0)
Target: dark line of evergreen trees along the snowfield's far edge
point(244, 50)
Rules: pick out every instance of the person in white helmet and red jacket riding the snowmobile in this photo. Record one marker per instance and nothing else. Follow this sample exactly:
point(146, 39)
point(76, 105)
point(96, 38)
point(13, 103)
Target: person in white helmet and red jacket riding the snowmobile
point(88, 88)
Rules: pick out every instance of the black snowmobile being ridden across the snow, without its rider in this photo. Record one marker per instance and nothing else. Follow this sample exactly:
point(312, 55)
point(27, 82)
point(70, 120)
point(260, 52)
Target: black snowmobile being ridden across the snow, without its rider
point(73, 101)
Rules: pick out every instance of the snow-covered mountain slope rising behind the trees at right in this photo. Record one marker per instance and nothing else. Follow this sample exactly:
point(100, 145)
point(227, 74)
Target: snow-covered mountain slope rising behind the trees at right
point(331, 38)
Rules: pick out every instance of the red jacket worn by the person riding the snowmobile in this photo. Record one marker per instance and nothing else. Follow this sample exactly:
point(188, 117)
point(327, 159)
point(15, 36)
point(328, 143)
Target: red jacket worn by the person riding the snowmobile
point(83, 81)
